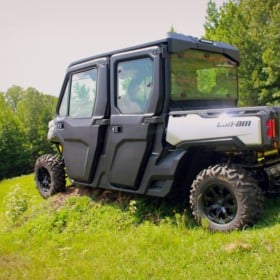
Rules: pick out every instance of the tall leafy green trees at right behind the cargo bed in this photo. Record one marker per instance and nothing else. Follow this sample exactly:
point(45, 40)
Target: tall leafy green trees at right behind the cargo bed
point(253, 27)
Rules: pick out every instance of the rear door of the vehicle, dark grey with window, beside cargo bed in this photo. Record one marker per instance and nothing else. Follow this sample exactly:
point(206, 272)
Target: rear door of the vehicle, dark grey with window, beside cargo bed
point(136, 103)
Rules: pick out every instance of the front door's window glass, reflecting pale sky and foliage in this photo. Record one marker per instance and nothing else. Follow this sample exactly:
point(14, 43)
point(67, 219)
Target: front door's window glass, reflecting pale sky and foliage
point(83, 94)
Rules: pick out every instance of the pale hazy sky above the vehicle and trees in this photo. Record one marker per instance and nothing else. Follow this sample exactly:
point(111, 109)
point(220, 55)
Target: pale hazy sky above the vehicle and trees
point(39, 38)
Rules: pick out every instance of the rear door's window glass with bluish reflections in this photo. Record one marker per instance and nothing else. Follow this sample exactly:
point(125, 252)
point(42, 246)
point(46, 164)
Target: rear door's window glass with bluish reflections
point(134, 85)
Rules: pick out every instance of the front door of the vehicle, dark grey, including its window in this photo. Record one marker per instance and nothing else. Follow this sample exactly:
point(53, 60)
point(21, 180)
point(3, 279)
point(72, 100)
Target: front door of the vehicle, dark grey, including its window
point(82, 118)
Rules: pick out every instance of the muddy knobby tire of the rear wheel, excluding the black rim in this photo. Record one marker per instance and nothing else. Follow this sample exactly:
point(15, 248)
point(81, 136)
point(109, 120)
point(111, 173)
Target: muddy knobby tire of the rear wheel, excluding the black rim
point(248, 195)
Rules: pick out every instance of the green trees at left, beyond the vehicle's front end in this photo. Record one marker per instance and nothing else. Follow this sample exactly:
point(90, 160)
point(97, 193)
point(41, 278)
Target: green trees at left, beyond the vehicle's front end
point(24, 117)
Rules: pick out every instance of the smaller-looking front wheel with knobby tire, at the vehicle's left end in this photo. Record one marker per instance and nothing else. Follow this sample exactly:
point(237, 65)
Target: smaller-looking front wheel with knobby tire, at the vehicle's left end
point(49, 175)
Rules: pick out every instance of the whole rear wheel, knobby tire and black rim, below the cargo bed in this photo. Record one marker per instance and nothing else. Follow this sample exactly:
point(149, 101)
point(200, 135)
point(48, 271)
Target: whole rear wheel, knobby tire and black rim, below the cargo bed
point(224, 198)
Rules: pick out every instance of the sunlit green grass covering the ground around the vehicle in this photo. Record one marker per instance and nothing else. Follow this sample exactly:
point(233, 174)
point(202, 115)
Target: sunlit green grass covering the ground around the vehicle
point(134, 239)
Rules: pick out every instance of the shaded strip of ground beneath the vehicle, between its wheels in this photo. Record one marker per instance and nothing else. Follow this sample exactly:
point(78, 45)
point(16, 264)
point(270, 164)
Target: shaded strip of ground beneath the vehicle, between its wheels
point(142, 208)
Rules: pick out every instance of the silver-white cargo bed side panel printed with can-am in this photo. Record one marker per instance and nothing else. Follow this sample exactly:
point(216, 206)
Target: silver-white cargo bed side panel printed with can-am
point(192, 127)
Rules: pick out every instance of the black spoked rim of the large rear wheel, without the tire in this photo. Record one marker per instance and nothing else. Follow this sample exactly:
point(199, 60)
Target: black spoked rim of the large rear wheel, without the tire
point(219, 204)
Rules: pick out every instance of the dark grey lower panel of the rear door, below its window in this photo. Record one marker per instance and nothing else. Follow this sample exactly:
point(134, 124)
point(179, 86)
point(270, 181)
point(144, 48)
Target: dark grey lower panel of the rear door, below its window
point(129, 151)
